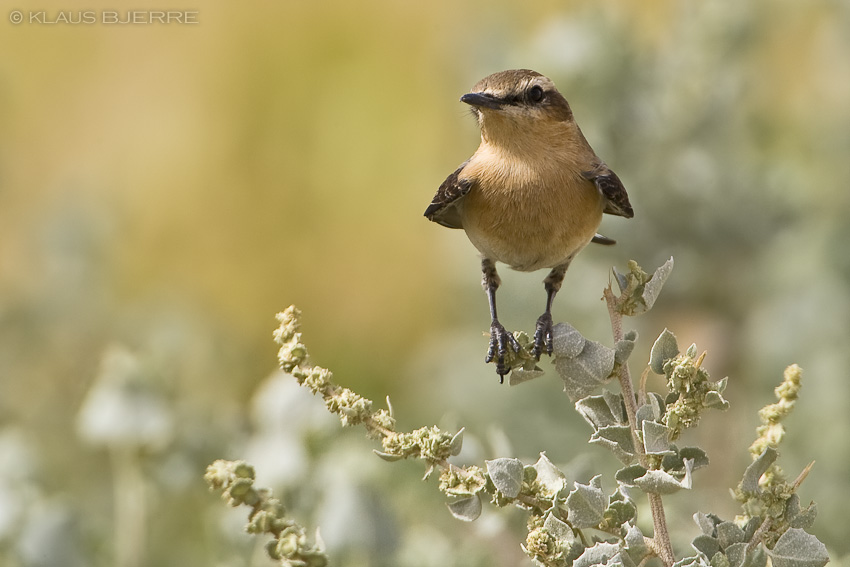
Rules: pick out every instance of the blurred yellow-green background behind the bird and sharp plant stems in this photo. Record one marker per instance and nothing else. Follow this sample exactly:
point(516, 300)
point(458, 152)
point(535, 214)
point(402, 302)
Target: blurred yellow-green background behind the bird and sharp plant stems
point(165, 189)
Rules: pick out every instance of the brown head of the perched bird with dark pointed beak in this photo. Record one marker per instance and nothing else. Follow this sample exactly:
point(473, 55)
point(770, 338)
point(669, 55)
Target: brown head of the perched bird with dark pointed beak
point(510, 103)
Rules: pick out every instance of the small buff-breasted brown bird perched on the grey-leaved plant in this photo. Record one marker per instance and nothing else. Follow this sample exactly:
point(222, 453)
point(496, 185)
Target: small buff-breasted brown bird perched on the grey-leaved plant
point(532, 195)
